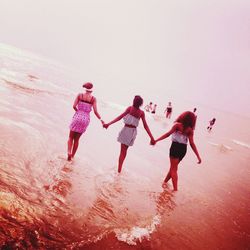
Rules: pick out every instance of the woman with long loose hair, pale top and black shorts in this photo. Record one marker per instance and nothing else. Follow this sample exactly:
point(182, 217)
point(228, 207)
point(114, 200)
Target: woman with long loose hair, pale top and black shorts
point(182, 132)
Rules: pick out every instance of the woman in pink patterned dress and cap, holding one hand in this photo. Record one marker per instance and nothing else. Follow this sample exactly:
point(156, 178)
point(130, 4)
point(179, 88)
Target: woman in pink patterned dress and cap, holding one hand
point(83, 105)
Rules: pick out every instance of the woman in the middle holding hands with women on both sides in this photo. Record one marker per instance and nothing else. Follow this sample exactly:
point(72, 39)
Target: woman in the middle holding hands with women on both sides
point(127, 135)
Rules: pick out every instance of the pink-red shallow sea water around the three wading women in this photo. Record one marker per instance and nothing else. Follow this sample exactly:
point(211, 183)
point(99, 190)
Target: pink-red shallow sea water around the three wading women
point(47, 202)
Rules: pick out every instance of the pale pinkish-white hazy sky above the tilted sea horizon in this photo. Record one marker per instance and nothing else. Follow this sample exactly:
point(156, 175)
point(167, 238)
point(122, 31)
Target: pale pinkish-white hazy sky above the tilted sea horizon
point(165, 50)
